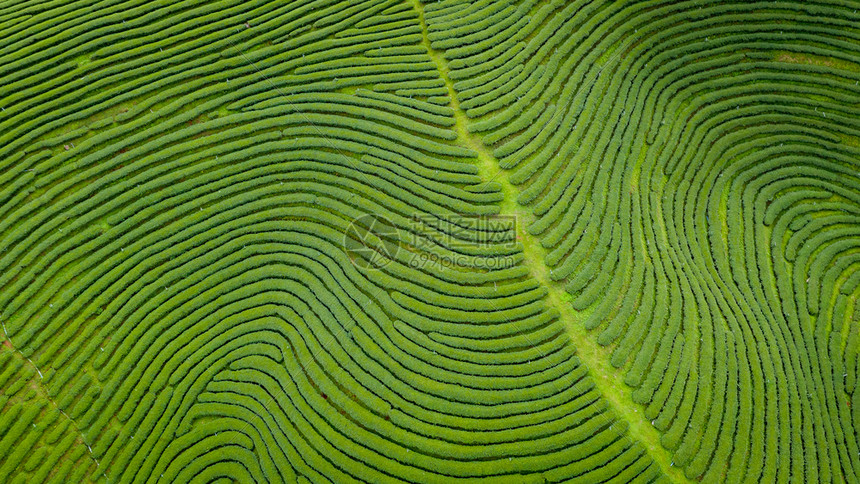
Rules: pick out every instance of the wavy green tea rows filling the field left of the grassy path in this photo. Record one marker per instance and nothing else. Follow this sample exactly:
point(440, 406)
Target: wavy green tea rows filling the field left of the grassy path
point(176, 179)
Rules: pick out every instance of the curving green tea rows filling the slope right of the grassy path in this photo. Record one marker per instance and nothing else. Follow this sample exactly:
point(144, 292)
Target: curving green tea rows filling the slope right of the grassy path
point(694, 173)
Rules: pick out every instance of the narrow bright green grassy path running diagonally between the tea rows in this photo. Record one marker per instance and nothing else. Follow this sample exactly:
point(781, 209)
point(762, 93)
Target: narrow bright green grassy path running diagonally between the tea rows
point(609, 380)
